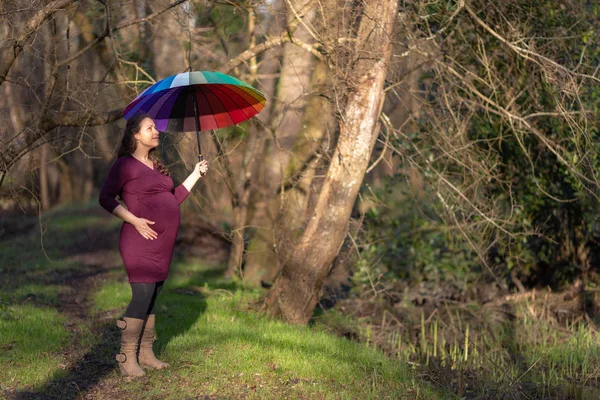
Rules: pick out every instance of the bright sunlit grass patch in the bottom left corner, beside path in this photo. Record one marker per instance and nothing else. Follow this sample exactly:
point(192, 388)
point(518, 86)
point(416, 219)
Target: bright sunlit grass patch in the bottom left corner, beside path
point(31, 339)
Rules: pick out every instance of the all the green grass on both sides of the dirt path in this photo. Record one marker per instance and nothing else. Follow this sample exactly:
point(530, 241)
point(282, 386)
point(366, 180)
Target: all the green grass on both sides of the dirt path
point(207, 329)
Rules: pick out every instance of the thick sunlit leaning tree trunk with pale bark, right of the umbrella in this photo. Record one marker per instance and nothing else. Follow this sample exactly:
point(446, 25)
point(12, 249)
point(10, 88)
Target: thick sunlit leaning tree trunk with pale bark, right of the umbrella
point(306, 263)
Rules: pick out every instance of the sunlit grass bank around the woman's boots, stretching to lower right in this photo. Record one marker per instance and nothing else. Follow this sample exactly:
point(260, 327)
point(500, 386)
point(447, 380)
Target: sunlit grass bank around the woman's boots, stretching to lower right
point(218, 345)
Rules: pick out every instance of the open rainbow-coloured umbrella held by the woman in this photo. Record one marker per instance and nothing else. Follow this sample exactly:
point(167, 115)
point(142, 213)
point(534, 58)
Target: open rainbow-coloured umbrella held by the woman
point(198, 100)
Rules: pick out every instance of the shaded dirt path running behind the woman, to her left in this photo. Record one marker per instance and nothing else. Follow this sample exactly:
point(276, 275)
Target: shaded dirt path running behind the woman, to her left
point(84, 372)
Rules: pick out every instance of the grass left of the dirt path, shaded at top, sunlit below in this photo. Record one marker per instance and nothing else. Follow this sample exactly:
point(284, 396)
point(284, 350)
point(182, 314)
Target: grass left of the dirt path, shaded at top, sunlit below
point(32, 332)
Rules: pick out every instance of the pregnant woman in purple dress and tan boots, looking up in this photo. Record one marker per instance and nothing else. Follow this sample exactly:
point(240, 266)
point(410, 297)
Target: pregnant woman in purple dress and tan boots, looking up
point(147, 236)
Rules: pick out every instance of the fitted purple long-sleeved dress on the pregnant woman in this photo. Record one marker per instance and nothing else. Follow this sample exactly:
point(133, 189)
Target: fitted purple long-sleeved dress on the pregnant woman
point(147, 194)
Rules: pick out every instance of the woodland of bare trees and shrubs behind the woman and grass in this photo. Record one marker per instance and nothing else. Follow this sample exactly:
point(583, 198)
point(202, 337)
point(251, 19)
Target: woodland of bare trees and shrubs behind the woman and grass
point(424, 177)
